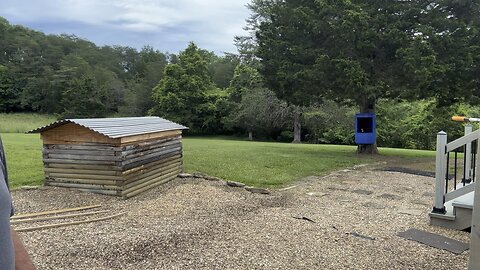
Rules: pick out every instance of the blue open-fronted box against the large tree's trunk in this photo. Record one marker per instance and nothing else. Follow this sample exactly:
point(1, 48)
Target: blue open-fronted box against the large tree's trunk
point(365, 128)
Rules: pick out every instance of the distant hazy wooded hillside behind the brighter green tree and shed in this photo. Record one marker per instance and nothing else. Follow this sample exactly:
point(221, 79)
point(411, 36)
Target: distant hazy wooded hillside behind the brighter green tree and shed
point(72, 77)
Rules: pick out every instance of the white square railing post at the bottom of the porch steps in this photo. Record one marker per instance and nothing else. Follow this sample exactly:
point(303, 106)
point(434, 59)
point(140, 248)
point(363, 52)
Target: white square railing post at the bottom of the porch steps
point(440, 172)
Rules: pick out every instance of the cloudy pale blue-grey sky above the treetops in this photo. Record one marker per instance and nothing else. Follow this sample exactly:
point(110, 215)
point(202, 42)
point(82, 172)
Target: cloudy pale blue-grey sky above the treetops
point(166, 25)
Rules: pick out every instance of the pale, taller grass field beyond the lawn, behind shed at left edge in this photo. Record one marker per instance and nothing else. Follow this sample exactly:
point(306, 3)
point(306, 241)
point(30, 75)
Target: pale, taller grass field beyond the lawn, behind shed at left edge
point(22, 122)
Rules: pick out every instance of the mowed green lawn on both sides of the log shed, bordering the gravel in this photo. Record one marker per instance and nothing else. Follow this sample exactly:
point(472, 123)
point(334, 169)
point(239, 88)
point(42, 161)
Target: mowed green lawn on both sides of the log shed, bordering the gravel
point(264, 164)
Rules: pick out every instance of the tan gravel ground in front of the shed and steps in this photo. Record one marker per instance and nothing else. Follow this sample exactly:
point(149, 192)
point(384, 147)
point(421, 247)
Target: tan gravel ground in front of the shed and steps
point(200, 224)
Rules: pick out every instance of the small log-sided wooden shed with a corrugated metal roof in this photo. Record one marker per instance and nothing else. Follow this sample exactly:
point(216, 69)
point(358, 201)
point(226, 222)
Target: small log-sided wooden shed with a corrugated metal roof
point(113, 156)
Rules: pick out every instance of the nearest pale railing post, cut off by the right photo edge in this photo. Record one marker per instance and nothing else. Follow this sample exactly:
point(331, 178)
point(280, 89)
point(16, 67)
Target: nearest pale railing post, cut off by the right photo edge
point(474, 260)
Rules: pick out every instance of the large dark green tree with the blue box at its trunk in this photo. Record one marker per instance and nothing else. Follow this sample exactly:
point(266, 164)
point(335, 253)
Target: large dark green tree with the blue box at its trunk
point(360, 51)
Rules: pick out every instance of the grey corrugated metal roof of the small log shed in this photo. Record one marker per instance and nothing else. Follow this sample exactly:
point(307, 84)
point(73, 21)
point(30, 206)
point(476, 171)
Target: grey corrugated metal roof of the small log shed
point(119, 127)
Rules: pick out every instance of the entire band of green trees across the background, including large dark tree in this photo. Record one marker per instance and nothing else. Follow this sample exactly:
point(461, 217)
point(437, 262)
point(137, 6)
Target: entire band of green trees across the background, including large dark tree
point(243, 94)
